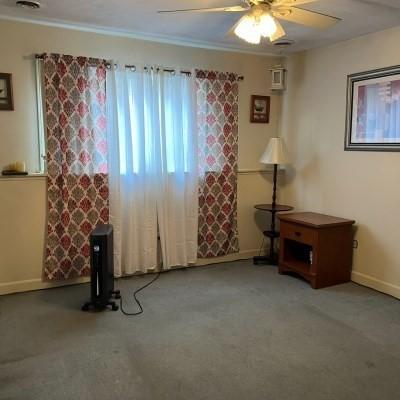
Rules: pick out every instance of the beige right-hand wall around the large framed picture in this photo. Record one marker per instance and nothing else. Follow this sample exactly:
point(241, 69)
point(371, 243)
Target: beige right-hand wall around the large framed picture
point(364, 186)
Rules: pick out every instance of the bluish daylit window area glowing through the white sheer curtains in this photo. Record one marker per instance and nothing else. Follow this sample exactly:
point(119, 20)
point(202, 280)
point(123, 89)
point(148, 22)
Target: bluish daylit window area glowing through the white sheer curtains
point(156, 121)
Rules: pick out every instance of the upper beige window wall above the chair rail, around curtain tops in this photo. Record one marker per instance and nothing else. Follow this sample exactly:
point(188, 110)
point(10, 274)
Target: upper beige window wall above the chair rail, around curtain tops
point(18, 128)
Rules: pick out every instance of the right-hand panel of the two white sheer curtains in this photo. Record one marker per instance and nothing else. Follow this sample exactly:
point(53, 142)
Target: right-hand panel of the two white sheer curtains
point(177, 200)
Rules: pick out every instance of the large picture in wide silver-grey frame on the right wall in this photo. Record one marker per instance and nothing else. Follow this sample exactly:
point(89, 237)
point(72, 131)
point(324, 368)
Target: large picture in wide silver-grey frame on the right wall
point(373, 110)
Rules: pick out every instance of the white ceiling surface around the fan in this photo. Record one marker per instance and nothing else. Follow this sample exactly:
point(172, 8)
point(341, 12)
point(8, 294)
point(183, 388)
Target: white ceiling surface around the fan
point(139, 17)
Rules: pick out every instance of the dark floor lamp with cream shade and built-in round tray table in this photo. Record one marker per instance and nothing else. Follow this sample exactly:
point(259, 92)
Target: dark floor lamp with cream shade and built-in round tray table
point(275, 154)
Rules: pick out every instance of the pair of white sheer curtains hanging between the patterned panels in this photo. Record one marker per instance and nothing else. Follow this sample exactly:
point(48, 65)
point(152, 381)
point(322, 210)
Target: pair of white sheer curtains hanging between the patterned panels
point(153, 169)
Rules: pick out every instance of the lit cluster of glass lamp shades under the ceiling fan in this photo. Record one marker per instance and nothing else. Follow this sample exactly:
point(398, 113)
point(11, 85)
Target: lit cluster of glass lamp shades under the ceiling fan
point(252, 27)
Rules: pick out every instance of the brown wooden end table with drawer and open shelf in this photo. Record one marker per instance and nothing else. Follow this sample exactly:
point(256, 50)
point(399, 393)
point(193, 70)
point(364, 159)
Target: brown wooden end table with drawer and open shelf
point(317, 247)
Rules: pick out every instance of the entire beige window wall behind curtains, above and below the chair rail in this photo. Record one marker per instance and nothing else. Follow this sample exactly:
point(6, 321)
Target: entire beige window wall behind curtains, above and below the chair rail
point(22, 202)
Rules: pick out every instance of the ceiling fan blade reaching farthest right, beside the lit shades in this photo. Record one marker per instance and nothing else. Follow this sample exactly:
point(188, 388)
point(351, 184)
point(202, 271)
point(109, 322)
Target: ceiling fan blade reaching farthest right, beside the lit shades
point(308, 18)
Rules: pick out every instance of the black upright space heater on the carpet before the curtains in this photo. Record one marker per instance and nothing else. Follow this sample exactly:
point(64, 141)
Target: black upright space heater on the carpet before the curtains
point(102, 270)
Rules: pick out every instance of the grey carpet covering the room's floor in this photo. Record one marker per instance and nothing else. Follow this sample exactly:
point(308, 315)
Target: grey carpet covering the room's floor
point(229, 331)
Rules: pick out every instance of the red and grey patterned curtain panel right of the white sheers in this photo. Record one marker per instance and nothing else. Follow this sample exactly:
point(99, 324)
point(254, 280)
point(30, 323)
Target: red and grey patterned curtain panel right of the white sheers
point(217, 119)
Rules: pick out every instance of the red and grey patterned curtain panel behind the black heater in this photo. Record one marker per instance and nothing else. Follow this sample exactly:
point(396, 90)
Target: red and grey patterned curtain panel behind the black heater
point(77, 183)
